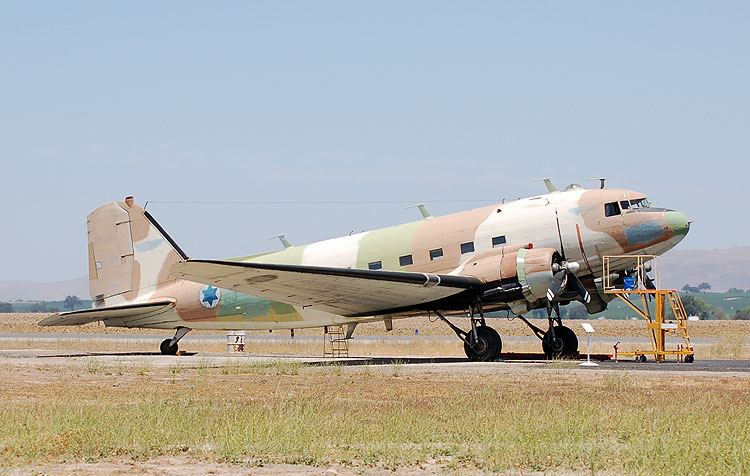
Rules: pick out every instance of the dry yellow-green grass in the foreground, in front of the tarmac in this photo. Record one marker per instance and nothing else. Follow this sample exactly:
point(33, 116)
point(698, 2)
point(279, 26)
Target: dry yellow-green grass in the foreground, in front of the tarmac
point(291, 413)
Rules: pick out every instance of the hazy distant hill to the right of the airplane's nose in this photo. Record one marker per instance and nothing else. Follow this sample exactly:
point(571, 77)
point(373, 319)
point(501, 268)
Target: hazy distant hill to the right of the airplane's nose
point(722, 269)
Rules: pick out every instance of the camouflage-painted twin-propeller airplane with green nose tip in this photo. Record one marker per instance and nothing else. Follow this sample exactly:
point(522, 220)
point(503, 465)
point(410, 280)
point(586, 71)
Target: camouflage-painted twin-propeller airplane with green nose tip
point(534, 253)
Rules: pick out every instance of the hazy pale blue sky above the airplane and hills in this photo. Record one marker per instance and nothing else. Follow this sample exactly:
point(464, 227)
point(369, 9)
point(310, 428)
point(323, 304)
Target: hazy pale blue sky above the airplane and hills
point(391, 102)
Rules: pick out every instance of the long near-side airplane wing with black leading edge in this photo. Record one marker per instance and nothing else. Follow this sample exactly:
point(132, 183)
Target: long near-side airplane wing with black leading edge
point(343, 291)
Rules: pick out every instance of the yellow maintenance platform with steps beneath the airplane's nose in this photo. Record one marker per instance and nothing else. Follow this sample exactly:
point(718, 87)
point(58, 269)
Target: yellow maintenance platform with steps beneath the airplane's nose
point(637, 291)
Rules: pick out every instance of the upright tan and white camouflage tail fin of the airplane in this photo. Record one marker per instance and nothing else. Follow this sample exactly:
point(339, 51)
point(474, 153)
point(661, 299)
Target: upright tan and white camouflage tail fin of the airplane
point(129, 254)
